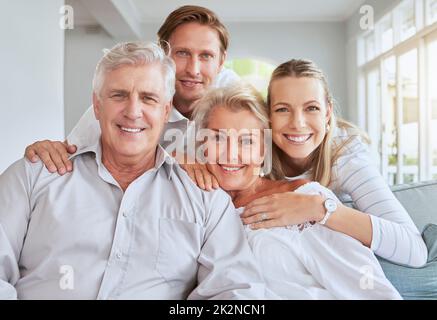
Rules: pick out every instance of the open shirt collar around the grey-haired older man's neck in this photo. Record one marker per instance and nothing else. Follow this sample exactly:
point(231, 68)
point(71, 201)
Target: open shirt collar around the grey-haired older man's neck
point(162, 158)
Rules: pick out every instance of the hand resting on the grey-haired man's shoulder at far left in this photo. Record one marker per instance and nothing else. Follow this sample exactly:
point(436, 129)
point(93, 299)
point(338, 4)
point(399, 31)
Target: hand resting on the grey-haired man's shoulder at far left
point(54, 155)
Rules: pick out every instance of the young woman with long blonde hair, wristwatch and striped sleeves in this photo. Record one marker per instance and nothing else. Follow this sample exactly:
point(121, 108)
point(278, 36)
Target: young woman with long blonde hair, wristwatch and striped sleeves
point(312, 144)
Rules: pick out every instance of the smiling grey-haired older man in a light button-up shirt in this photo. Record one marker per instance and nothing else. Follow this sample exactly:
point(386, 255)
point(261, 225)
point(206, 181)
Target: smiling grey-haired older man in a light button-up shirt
point(127, 222)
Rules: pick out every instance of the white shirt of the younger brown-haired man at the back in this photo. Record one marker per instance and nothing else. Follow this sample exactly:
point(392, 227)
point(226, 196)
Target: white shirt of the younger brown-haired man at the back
point(87, 130)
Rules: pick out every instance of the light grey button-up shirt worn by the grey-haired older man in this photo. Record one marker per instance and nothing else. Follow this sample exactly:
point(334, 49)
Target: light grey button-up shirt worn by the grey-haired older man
point(79, 236)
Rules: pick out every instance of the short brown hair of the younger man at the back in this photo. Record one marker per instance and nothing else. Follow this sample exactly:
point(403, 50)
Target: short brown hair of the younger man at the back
point(187, 14)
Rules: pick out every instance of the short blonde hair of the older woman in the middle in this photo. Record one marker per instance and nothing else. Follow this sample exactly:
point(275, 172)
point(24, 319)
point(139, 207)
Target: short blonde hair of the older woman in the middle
point(237, 97)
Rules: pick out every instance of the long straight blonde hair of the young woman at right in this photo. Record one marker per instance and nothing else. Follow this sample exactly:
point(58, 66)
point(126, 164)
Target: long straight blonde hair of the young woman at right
point(323, 158)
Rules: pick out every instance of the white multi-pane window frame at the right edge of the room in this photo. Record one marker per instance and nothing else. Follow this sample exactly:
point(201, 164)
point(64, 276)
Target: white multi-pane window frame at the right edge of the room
point(425, 34)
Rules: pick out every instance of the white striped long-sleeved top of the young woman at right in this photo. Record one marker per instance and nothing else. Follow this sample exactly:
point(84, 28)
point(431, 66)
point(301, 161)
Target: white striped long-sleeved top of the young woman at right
point(354, 176)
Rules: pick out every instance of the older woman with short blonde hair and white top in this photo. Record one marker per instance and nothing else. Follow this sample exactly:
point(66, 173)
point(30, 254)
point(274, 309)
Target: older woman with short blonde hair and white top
point(308, 261)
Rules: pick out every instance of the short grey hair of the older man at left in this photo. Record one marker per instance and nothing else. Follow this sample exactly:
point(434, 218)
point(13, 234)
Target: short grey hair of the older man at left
point(135, 53)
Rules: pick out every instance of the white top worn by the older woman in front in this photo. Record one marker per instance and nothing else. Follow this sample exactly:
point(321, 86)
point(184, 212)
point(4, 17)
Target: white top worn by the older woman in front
point(318, 263)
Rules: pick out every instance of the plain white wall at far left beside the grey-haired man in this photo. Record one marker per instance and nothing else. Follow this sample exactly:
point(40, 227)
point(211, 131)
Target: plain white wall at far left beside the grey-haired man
point(31, 82)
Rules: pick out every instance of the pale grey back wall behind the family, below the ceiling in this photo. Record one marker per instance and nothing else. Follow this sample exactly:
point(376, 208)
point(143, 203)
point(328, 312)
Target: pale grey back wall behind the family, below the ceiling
point(322, 42)
